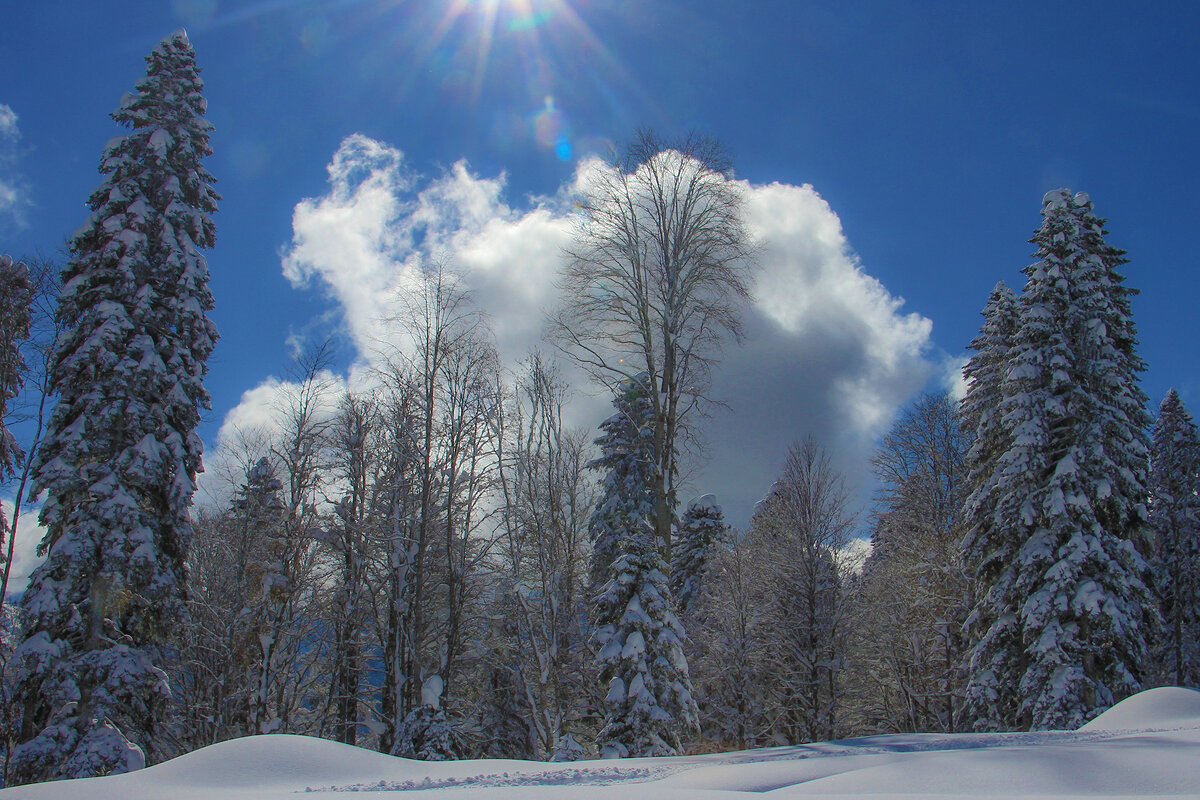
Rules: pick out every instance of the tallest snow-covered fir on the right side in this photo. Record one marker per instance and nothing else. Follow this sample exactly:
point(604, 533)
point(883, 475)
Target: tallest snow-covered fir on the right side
point(1064, 618)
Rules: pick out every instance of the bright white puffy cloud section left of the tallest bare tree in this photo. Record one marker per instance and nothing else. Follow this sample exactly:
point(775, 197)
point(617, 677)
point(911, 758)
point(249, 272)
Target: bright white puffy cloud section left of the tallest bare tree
point(368, 239)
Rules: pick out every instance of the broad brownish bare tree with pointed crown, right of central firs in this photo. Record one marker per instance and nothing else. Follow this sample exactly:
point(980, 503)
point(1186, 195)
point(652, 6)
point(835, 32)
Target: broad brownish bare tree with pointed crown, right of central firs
point(772, 633)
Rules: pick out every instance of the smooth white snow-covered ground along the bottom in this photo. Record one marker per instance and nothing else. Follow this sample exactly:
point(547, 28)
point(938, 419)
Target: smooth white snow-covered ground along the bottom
point(1147, 747)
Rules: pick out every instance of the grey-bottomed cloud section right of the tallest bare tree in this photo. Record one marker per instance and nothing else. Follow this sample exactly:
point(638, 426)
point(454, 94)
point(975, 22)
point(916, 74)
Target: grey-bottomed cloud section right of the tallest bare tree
point(830, 352)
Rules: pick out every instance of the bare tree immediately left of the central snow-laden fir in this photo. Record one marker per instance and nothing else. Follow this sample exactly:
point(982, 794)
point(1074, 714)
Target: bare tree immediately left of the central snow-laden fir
point(542, 566)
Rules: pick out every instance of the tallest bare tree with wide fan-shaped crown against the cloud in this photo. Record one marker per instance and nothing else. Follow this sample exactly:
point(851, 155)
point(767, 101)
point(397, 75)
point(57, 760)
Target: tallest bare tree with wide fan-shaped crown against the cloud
point(656, 278)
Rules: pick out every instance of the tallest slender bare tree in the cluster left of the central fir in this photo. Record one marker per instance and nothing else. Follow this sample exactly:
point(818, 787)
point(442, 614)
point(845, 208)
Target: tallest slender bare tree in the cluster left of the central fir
point(446, 368)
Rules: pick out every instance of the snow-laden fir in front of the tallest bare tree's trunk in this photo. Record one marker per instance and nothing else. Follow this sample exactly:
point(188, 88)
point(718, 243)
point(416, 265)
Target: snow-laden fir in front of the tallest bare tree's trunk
point(639, 637)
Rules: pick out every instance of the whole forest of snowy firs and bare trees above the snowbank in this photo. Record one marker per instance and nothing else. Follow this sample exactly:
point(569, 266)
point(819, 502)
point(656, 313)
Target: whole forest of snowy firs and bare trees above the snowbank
point(442, 568)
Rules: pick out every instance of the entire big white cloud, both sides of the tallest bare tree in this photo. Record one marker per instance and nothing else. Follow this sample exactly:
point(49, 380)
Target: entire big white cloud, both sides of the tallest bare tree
point(830, 351)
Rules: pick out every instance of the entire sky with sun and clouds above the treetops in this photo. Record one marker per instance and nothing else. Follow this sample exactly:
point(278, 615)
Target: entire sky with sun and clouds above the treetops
point(928, 135)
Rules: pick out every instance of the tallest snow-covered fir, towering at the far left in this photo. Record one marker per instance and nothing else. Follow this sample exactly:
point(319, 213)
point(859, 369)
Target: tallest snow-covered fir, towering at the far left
point(119, 462)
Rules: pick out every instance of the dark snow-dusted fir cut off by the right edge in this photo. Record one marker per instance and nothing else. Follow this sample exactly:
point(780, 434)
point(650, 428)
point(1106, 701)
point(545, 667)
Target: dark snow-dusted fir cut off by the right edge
point(1175, 522)
